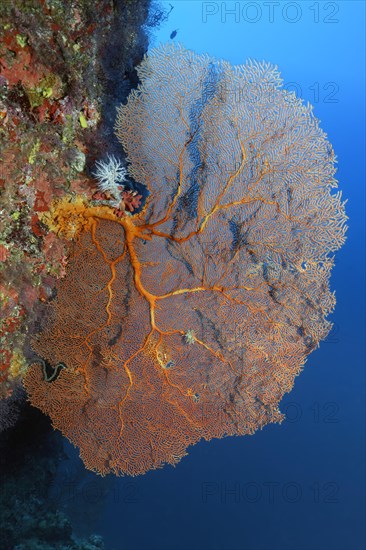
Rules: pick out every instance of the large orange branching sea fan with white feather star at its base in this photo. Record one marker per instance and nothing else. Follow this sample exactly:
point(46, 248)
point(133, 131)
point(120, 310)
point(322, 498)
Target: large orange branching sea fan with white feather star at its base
point(191, 317)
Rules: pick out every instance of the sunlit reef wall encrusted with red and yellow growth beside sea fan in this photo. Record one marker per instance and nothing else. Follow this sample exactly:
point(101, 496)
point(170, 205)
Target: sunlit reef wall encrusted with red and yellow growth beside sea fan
point(58, 93)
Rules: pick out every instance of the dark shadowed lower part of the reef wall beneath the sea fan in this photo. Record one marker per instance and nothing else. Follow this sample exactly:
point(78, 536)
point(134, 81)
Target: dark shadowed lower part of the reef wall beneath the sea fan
point(30, 455)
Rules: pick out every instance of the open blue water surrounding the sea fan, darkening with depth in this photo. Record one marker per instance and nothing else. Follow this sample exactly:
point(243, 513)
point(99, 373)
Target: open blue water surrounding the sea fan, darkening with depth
point(299, 485)
